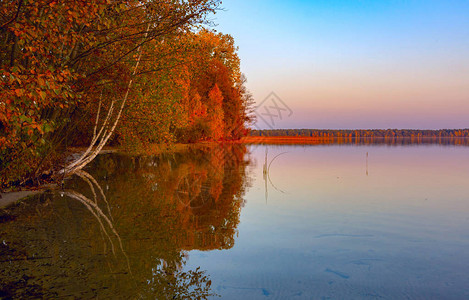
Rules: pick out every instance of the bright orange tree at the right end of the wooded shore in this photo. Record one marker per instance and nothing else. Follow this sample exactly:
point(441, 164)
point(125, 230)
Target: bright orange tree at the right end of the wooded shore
point(217, 64)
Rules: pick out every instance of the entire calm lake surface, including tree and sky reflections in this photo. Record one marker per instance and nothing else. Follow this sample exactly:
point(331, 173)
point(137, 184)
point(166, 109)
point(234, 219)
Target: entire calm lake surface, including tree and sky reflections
point(248, 222)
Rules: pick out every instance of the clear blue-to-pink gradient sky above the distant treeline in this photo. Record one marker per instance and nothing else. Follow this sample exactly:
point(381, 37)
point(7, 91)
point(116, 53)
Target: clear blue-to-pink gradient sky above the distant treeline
point(354, 64)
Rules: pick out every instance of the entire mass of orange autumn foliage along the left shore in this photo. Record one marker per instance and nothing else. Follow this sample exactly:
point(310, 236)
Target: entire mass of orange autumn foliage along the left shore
point(126, 72)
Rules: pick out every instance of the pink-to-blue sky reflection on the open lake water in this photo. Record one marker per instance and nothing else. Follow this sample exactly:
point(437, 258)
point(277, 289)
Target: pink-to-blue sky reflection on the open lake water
point(338, 223)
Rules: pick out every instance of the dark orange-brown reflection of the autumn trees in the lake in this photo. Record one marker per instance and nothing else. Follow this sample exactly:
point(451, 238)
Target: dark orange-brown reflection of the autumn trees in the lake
point(124, 227)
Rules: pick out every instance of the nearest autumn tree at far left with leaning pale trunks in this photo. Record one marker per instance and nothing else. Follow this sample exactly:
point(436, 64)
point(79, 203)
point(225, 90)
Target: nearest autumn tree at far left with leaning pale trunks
point(67, 64)
